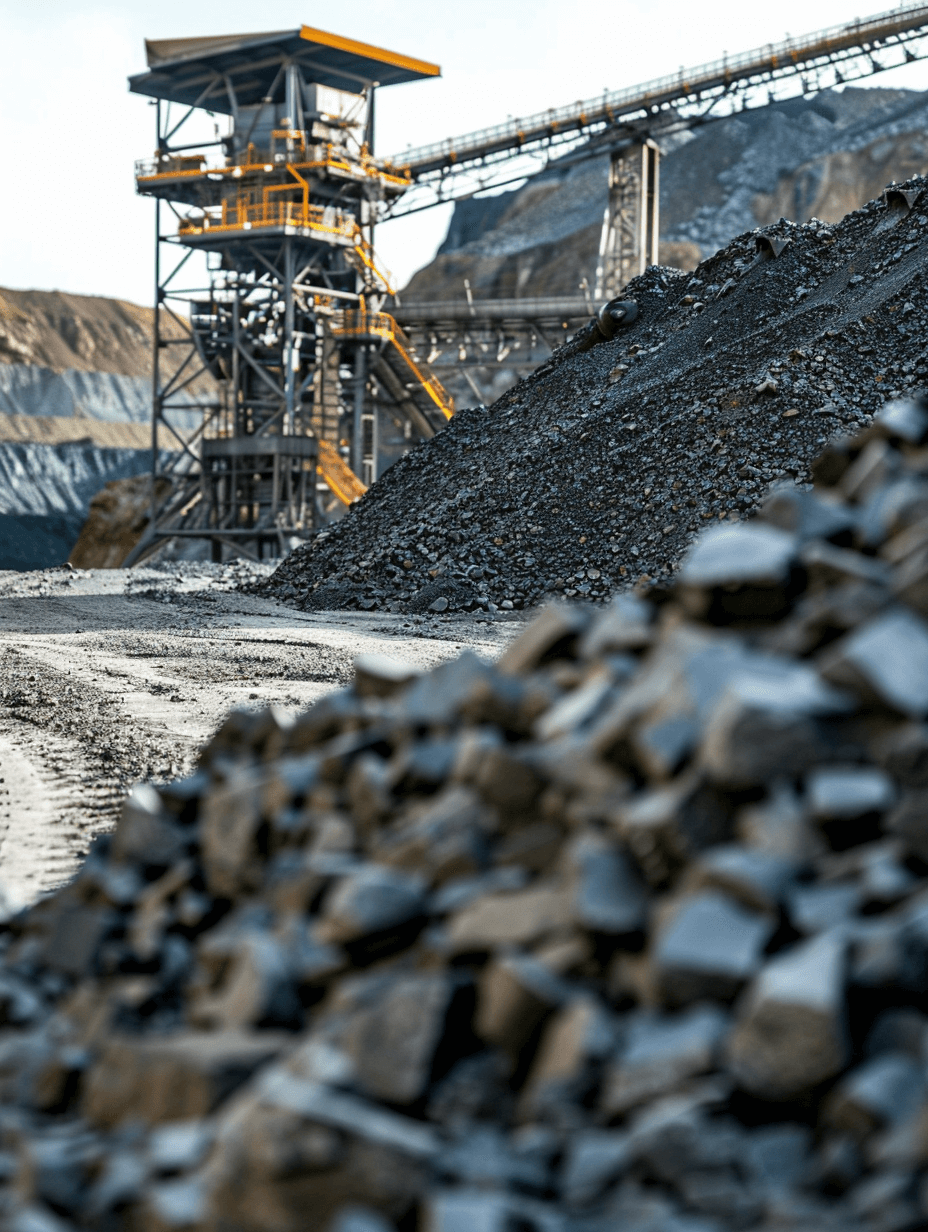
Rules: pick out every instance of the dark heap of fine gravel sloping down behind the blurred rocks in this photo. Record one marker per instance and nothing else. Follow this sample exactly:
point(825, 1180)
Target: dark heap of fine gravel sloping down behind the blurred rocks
point(602, 466)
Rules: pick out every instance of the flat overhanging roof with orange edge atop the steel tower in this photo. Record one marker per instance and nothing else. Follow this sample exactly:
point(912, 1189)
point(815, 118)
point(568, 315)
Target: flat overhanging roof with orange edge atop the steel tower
point(209, 72)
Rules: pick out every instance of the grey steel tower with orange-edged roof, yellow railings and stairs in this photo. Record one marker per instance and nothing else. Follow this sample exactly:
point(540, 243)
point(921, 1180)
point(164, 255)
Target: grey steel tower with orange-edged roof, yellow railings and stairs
point(288, 322)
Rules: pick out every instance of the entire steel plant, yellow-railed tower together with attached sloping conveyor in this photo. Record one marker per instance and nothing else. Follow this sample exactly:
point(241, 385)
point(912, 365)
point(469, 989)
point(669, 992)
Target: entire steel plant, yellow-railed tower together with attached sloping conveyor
point(315, 386)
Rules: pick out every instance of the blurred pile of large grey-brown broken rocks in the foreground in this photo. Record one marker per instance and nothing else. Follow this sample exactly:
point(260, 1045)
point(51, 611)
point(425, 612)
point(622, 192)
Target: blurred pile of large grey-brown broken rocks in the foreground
point(629, 931)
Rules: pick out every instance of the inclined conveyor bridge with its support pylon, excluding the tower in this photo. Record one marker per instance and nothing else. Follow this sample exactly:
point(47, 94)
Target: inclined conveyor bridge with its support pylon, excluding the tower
point(627, 126)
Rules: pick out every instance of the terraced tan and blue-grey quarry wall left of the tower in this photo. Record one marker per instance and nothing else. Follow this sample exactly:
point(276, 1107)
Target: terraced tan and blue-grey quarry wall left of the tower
point(76, 400)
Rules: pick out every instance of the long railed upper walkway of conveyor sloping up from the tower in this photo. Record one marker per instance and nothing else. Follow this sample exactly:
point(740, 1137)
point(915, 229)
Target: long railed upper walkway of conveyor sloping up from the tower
point(776, 60)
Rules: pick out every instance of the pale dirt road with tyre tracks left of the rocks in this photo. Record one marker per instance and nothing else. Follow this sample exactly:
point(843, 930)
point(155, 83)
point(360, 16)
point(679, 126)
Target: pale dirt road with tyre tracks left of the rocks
point(110, 677)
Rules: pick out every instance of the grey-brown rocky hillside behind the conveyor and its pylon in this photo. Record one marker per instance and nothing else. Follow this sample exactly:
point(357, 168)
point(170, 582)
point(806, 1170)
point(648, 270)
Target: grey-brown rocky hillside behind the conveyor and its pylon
point(823, 158)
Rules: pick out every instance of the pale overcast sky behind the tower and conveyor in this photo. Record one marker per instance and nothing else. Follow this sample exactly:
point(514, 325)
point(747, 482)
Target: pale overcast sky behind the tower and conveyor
point(70, 216)
